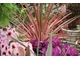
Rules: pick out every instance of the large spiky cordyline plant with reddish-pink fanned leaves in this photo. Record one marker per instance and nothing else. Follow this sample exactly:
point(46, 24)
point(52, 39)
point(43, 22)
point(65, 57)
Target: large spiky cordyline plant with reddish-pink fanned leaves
point(42, 23)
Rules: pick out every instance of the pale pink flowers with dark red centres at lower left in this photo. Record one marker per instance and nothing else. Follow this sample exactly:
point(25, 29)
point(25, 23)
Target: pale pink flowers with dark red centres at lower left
point(9, 47)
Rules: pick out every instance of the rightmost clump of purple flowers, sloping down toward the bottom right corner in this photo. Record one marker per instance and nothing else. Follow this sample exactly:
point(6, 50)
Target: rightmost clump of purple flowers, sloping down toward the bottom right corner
point(69, 51)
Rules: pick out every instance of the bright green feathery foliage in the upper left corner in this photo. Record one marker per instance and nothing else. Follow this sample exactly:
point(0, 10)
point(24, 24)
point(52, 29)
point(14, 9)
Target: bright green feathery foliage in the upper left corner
point(6, 12)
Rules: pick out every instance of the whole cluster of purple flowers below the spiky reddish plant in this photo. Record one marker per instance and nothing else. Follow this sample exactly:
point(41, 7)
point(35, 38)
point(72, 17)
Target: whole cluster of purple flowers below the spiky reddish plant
point(58, 49)
